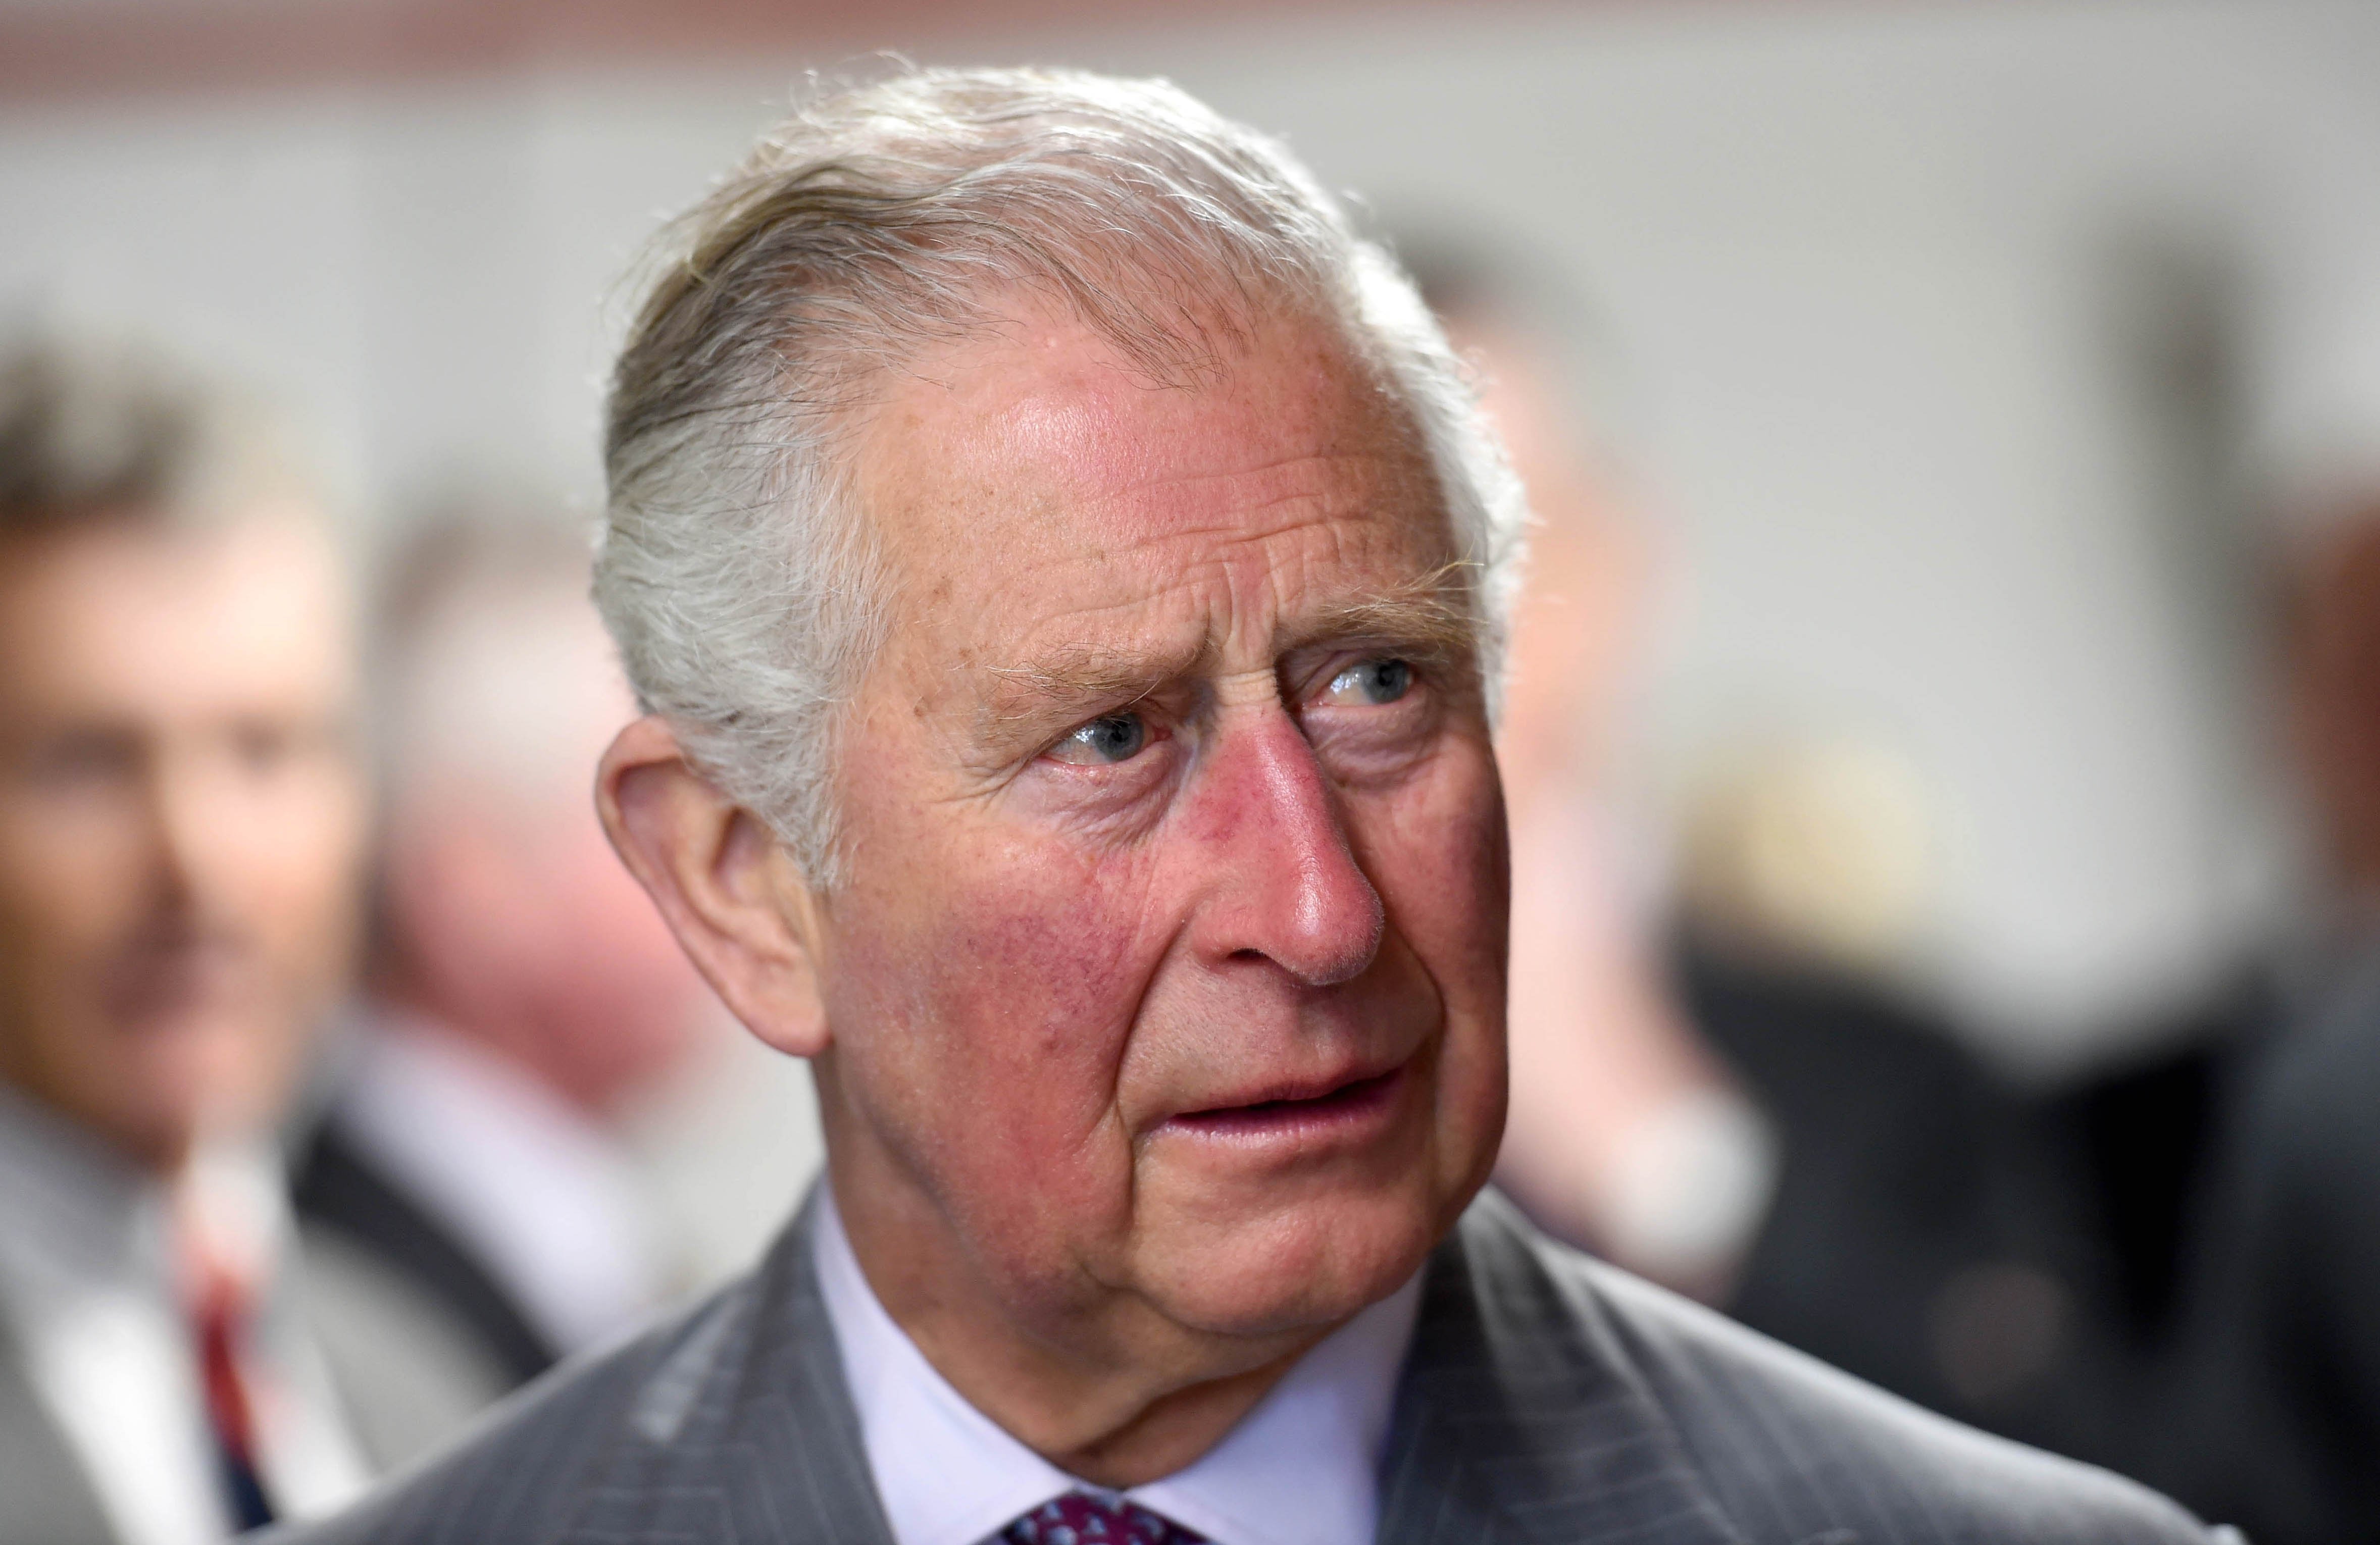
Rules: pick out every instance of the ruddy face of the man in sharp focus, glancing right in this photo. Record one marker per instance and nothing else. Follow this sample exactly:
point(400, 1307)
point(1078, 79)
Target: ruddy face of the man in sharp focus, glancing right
point(1172, 961)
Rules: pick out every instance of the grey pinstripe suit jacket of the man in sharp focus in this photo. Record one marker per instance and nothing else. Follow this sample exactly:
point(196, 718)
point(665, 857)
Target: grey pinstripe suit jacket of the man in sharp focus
point(1546, 1399)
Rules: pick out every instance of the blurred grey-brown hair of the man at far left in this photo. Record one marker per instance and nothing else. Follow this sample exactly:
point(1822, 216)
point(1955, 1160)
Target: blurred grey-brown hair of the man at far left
point(108, 427)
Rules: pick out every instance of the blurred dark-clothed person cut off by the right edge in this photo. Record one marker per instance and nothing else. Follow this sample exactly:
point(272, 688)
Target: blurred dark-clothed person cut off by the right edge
point(2274, 1408)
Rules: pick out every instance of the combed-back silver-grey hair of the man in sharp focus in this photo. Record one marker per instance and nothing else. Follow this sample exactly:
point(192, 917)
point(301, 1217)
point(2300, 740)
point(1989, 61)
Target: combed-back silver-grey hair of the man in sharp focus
point(741, 587)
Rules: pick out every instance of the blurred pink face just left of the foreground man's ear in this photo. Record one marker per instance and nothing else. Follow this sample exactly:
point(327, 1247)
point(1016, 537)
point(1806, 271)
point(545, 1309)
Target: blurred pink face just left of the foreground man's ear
point(511, 915)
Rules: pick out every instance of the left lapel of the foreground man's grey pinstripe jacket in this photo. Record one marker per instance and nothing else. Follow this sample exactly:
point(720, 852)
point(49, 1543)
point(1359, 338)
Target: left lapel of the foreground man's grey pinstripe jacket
point(746, 1432)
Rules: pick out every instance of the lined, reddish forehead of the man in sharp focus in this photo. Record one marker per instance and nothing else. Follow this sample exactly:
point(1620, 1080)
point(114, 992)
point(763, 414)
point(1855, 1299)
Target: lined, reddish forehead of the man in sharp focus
point(1034, 487)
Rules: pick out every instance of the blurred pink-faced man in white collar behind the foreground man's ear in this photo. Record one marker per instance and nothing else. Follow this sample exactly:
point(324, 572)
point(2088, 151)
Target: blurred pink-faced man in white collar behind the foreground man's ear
point(522, 992)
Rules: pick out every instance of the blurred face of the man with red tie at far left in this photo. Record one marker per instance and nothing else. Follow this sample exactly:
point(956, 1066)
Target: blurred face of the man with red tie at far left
point(180, 820)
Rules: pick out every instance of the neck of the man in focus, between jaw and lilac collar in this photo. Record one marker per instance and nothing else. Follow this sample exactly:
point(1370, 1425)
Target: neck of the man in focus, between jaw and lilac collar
point(1108, 1391)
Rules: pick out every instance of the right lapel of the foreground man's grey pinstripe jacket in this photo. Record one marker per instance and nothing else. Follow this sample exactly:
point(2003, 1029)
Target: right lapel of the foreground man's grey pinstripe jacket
point(1520, 1418)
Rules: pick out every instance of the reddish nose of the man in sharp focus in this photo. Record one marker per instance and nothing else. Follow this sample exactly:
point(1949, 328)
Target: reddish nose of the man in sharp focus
point(1284, 884)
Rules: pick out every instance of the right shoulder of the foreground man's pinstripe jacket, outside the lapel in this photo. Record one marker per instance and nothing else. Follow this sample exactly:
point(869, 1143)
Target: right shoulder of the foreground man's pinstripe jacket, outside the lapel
point(1784, 1446)
